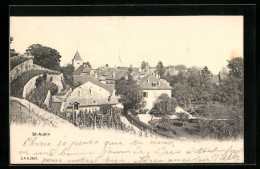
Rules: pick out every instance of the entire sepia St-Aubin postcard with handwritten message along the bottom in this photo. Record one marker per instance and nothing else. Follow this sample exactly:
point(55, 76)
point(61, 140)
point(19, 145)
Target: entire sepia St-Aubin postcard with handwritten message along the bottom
point(126, 89)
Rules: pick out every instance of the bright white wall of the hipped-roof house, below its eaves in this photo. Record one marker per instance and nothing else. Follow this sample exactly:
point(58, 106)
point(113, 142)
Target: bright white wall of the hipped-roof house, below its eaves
point(152, 96)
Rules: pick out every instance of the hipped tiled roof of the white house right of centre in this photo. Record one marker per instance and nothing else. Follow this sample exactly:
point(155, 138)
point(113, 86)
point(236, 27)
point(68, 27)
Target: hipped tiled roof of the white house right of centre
point(160, 84)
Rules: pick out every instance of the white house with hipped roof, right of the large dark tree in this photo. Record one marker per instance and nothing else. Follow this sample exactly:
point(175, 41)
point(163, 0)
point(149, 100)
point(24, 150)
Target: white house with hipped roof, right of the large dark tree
point(152, 87)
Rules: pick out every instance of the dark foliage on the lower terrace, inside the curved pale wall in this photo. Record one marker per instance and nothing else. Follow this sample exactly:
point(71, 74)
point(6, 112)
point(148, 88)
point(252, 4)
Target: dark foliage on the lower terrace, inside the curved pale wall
point(38, 95)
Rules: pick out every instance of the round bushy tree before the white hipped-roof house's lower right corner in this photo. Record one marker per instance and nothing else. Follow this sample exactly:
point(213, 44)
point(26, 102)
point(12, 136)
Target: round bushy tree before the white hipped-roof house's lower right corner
point(164, 105)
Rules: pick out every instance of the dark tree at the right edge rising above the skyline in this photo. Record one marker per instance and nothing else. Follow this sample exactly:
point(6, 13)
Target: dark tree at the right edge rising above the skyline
point(236, 67)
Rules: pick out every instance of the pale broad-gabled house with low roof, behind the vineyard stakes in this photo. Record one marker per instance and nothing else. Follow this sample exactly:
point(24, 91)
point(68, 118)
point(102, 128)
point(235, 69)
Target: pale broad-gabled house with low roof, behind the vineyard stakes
point(91, 95)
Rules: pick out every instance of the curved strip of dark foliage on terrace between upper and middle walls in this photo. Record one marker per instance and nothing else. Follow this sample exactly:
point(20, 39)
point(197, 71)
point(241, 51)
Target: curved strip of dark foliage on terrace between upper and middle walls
point(17, 85)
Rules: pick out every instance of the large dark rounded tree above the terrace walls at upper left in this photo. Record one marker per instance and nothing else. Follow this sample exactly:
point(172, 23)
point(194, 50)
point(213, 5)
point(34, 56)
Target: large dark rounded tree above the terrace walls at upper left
point(44, 56)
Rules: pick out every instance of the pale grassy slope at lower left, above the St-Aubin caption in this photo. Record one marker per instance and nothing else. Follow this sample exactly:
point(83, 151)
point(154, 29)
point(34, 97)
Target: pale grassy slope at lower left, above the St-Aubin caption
point(20, 114)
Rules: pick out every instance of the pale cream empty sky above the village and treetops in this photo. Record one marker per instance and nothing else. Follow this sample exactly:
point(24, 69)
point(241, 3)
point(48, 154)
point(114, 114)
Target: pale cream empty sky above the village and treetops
point(123, 41)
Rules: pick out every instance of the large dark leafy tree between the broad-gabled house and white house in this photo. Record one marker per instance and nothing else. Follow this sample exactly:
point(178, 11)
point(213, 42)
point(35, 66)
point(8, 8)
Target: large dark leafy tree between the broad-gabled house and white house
point(130, 94)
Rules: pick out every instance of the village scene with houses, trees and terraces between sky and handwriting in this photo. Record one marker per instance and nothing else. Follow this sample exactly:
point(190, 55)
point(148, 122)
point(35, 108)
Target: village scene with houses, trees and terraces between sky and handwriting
point(171, 101)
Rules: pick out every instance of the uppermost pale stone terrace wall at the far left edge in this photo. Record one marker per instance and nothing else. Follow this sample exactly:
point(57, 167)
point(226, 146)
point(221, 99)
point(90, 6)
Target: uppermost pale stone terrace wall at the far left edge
point(19, 69)
